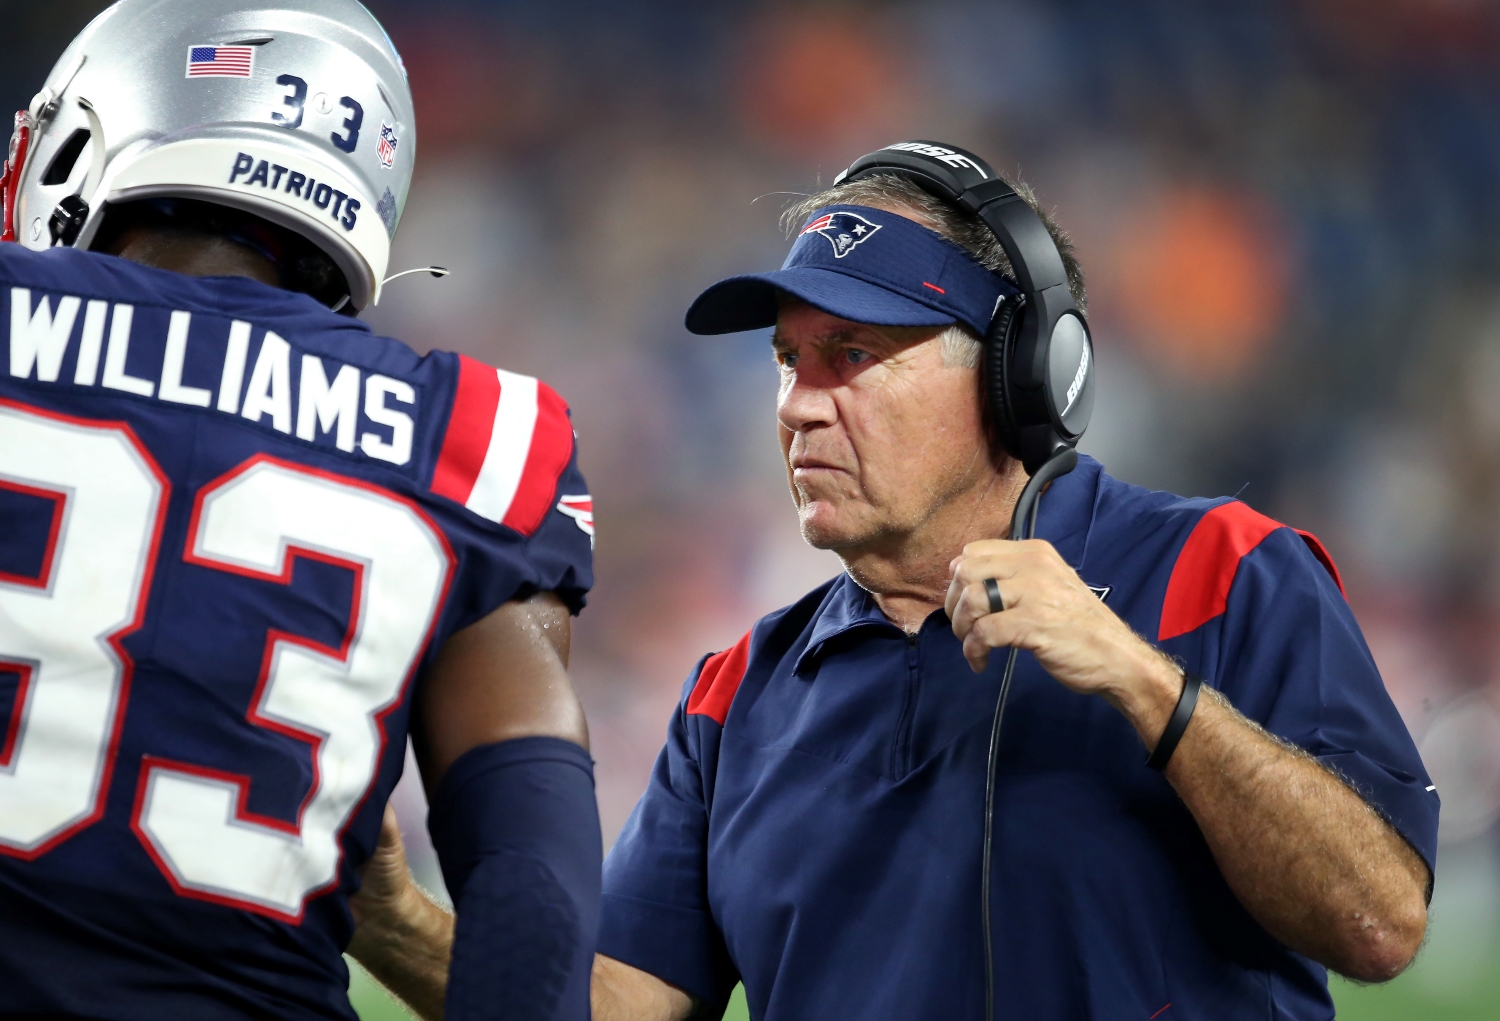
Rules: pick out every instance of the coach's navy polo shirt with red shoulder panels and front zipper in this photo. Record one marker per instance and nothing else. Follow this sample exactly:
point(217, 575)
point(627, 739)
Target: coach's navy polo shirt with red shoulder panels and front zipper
point(814, 825)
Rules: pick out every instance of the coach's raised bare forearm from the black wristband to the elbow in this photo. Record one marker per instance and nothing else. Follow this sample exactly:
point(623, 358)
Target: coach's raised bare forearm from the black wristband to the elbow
point(1304, 854)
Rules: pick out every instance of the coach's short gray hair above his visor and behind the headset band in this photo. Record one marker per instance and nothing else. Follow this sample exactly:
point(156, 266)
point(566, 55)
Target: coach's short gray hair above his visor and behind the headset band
point(965, 230)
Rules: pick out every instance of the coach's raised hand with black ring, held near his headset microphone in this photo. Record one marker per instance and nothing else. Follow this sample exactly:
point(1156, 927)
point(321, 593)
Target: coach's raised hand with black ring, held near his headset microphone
point(1052, 614)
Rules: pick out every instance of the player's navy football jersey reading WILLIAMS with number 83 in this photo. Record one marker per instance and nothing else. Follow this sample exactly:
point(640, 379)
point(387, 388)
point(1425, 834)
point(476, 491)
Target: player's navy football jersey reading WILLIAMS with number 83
point(235, 531)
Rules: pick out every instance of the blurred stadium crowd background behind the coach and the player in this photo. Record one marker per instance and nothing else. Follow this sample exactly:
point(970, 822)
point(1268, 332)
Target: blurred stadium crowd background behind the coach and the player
point(1291, 218)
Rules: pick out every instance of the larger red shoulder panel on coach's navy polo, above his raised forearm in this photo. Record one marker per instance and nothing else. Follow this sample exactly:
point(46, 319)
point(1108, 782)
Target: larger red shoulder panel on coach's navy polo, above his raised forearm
point(1205, 570)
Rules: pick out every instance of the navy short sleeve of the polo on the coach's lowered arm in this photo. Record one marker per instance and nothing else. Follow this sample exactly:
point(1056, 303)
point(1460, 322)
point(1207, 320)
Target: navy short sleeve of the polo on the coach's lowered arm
point(656, 911)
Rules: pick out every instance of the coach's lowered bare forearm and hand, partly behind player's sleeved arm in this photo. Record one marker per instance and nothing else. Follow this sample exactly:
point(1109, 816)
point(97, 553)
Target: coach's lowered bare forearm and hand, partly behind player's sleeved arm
point(404, 941)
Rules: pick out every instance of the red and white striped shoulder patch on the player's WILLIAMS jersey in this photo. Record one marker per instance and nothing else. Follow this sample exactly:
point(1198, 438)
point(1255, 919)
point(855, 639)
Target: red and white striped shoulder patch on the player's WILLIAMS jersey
point(509, 442)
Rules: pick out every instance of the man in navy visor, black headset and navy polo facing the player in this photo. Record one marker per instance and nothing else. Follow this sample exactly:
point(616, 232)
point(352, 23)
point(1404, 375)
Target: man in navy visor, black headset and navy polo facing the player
point(1202, 797)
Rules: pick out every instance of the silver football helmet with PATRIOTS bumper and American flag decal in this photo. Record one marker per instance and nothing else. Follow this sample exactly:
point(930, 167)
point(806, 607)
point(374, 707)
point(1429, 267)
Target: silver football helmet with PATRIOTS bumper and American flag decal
point(298, 113)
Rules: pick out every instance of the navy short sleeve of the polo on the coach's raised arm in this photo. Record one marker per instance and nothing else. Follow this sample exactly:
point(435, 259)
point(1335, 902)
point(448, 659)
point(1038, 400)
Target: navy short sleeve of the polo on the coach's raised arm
point(1292, 657)
